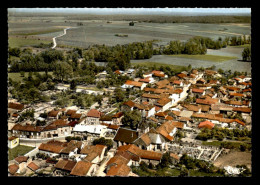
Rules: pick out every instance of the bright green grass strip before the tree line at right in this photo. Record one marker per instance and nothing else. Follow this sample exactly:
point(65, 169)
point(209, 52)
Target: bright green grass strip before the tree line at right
point(211, 58)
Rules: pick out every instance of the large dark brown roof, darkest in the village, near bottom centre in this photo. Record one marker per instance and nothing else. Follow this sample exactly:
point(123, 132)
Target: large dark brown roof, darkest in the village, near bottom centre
point(126, 135)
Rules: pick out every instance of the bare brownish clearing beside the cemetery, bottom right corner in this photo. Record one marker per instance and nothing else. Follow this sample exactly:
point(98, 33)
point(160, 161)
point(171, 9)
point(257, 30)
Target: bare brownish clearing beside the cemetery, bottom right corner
point(234, 158)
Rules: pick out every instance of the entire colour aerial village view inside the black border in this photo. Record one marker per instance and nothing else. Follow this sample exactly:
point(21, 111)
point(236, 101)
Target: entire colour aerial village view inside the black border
point(129, 92)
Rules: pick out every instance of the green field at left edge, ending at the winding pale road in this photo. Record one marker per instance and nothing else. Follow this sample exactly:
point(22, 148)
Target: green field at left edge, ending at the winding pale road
point(20, 42)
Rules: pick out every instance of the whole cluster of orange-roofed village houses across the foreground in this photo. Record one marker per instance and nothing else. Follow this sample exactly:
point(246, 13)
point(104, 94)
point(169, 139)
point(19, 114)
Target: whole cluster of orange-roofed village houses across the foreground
point(185, 102)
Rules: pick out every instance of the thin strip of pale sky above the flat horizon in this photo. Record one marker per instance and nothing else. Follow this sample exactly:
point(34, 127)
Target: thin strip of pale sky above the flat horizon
point(136, 11)
